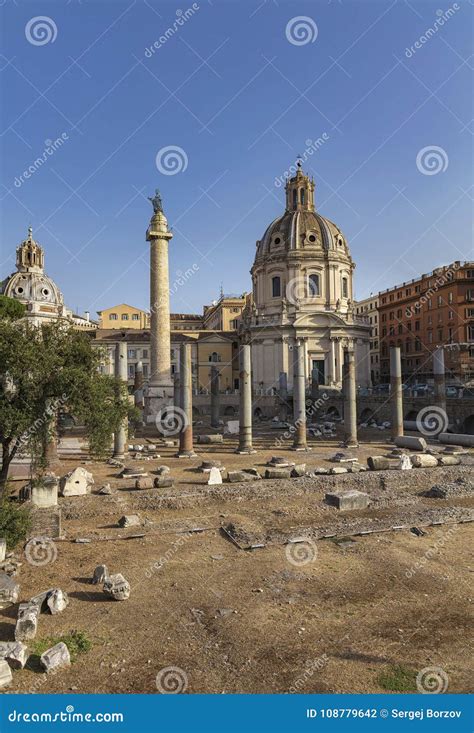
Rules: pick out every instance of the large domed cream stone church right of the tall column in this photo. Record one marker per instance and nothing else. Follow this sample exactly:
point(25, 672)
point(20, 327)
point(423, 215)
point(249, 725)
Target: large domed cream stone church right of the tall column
point(302, 291)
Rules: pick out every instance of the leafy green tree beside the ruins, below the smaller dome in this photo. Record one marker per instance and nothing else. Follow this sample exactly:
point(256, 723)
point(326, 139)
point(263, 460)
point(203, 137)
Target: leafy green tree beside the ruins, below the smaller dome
point(44, 370)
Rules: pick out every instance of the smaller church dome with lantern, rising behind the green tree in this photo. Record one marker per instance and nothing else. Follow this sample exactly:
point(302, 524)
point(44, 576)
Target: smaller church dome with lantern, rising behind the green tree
point(30, 285)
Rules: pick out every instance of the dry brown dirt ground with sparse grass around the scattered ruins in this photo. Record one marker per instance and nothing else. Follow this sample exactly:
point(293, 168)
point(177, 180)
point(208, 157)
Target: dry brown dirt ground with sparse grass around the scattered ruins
point(322, 615)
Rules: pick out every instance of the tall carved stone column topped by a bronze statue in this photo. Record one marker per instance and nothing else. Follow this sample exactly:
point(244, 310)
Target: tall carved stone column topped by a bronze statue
point(160, 391)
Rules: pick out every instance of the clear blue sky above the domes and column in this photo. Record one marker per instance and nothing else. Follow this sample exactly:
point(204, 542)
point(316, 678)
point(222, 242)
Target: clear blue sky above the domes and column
point(240, 88)
